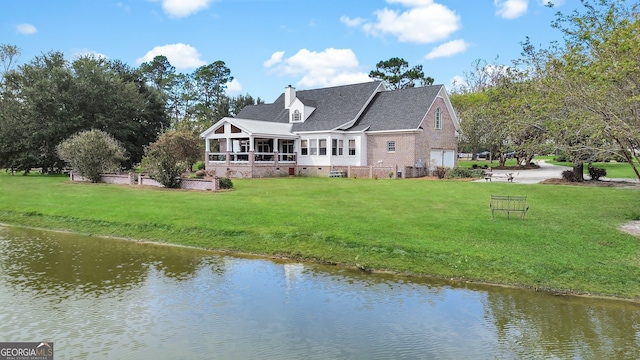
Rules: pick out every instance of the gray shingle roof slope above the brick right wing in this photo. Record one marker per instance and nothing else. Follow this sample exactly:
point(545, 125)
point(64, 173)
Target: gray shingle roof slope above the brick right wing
point(399, 109)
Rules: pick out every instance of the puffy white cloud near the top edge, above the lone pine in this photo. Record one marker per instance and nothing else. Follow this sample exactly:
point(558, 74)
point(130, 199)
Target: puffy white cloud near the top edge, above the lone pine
point(423, 22)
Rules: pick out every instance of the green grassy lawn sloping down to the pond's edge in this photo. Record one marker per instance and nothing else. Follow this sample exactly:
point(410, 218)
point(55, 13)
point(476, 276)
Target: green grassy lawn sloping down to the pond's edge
point(570, 240)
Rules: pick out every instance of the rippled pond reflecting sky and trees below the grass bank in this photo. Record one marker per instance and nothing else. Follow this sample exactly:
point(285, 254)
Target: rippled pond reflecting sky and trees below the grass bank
point(98, 298)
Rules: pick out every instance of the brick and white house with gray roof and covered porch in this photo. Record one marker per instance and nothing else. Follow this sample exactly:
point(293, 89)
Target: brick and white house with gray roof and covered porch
point(361, 129)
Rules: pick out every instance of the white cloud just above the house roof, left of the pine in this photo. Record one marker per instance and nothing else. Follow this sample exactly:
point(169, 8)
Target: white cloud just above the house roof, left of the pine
point(331, 67)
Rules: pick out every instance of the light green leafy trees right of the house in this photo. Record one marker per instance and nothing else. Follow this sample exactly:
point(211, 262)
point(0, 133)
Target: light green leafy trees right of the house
point(579, 98)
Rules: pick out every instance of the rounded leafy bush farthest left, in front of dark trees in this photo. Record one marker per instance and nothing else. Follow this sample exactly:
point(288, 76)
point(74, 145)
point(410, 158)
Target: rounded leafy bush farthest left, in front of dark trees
point(91, 153)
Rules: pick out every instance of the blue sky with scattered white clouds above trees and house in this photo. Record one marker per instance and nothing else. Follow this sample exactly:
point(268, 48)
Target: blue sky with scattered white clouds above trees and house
point(269, 44)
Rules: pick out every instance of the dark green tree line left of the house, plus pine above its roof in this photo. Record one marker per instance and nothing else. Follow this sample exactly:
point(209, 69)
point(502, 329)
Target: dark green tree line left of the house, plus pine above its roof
point(51, 99)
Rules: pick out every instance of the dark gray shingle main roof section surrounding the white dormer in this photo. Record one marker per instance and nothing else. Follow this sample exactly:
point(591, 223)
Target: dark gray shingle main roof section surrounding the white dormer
point(335, 107)
